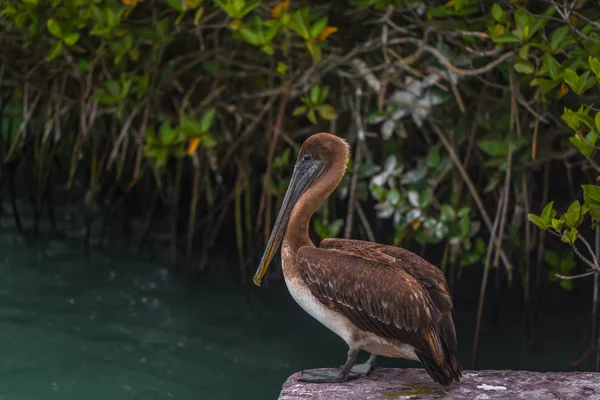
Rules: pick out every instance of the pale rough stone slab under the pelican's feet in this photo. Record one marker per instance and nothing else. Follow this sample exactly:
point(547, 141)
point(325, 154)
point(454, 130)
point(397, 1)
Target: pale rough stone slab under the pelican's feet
point(410, 383)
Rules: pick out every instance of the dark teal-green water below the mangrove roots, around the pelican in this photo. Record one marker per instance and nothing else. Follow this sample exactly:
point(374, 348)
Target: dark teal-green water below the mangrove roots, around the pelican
point(116, 326)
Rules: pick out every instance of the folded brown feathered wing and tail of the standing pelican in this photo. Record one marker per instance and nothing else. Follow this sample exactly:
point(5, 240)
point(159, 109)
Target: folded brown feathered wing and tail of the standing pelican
point(411, 302)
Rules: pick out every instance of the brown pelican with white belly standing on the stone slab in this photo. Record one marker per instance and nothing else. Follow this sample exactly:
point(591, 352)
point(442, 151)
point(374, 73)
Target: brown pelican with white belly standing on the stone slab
point(378, 298)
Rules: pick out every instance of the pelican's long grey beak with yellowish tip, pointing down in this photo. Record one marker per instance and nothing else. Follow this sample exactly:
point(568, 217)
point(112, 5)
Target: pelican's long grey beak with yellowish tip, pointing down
point(300, 181)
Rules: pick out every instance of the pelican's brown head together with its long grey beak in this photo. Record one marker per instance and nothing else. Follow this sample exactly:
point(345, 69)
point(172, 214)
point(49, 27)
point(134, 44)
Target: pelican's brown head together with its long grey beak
point(321, 165)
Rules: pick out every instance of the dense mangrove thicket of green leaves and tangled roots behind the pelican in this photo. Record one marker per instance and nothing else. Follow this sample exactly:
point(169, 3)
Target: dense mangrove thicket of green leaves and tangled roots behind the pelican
point(464, 116)
